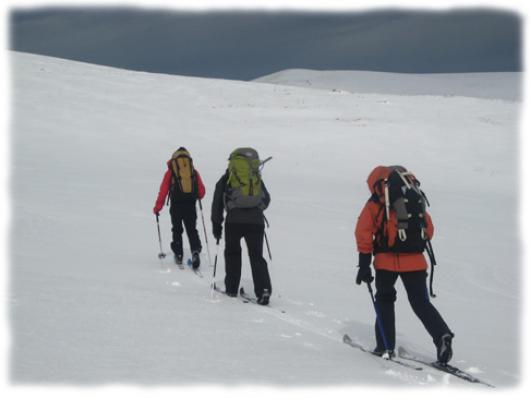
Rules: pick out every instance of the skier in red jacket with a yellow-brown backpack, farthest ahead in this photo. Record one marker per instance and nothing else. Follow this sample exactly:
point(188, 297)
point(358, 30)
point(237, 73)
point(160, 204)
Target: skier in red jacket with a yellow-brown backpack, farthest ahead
point(184, 185)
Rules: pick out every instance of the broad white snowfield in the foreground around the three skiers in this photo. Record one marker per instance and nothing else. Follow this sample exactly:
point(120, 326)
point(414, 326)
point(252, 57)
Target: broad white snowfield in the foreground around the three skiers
point(90, 302)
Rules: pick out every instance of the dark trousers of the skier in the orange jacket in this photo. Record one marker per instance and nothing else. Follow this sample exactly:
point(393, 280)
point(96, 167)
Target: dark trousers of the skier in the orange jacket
point(416, 286)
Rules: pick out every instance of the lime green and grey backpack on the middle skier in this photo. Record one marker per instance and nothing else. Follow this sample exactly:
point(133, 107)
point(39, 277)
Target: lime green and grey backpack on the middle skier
point(244, 179)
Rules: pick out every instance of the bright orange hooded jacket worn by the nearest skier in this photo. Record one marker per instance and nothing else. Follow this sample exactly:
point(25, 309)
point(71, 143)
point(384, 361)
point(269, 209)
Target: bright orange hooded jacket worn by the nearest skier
point(370, 220)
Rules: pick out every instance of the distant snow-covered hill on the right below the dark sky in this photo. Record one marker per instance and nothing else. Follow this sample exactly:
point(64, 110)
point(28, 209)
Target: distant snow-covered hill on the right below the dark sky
point(501, 85)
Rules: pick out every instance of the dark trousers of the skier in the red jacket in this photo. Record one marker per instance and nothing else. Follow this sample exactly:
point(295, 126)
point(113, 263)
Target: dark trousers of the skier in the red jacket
point(184, 213)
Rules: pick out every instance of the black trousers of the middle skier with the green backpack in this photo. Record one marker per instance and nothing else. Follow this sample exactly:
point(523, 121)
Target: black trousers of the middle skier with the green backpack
point(253, 235)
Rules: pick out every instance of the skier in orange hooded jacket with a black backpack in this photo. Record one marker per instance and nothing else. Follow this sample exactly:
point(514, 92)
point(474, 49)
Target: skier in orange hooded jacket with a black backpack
point(398, 244)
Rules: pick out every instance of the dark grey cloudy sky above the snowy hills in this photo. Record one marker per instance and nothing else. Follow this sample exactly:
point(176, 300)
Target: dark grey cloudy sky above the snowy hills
point(246, 45)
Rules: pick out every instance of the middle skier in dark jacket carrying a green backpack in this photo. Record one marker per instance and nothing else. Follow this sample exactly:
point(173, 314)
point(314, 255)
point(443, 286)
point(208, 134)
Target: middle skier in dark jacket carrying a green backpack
point(244, 219)
